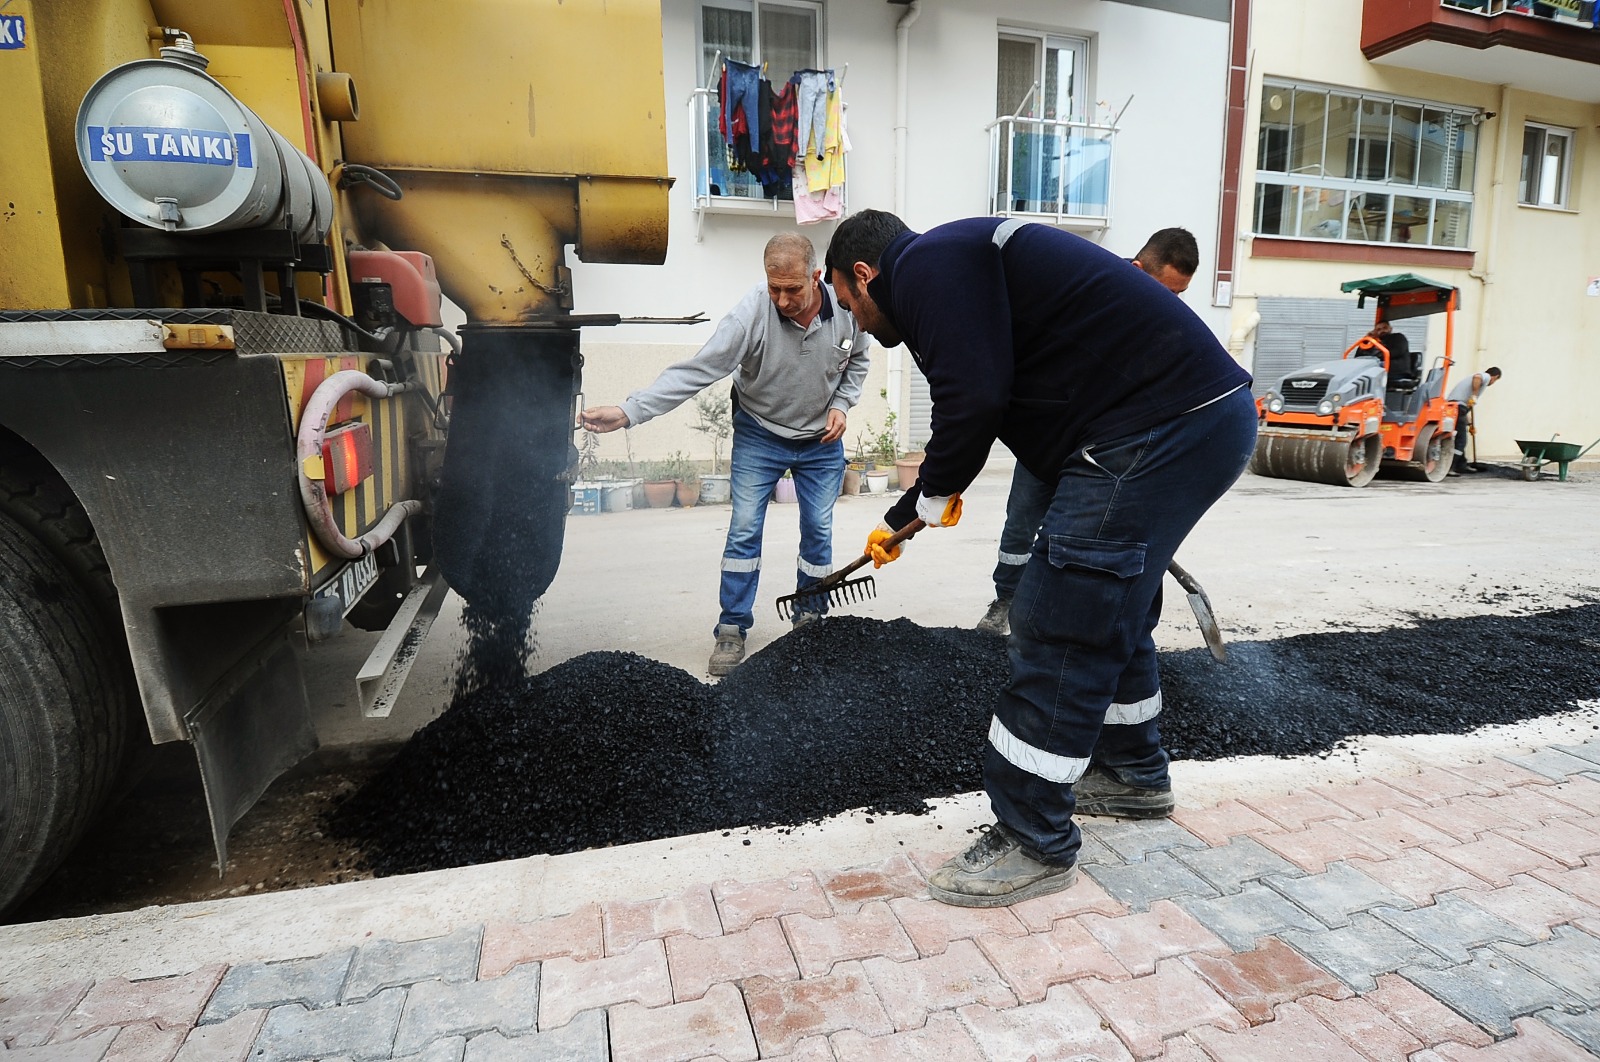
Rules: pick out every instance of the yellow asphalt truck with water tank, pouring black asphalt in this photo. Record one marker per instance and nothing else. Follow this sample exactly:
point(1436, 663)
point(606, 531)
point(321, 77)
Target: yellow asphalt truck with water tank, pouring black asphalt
point(230, 413)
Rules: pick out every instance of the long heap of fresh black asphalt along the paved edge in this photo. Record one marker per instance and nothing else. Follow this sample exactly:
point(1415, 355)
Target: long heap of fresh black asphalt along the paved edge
point(850, 713)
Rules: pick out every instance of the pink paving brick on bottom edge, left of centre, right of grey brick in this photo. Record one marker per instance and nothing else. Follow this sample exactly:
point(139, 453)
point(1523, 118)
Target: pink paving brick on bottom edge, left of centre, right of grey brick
point(714, 1024)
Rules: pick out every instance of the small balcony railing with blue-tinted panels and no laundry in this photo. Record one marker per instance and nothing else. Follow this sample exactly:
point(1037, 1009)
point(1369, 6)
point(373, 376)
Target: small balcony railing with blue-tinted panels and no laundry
point(1050, 169)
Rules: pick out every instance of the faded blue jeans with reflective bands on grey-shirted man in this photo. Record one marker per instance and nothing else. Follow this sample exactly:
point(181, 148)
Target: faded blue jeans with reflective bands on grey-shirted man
point(759, 461)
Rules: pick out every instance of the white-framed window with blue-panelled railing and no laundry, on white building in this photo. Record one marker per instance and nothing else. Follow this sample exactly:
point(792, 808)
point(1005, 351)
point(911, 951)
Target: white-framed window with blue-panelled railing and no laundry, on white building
point(1047, 158)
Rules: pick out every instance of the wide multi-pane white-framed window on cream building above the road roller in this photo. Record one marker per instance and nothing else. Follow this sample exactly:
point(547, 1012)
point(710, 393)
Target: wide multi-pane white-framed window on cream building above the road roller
point(1361, 169)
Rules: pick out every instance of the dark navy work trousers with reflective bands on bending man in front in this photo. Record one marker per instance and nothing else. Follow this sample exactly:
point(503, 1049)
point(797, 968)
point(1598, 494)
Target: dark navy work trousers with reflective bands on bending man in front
point(1084, 679)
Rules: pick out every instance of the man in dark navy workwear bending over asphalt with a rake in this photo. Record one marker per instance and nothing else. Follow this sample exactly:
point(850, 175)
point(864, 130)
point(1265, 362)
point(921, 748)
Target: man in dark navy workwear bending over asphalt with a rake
point(1108, 386)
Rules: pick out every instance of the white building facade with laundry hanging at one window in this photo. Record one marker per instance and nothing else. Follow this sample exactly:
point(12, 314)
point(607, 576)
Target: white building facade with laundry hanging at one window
point(1102, 116)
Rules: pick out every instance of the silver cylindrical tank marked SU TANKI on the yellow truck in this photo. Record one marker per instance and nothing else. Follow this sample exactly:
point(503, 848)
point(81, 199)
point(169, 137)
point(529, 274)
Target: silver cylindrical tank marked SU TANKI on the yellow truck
point(166, 145)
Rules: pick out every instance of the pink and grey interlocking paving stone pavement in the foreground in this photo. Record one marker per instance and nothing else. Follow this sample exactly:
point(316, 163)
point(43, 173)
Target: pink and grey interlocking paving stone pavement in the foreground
point(1441, 919)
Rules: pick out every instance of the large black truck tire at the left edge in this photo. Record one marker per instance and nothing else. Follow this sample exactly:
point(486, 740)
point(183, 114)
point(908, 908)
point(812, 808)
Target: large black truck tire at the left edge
point(60, 748)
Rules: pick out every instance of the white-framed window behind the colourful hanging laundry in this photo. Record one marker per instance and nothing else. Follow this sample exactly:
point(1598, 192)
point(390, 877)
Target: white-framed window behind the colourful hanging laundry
point(780, 36)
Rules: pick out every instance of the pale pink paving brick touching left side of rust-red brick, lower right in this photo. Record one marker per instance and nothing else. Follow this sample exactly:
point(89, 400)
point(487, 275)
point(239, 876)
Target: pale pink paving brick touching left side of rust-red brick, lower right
point(1148, 1010)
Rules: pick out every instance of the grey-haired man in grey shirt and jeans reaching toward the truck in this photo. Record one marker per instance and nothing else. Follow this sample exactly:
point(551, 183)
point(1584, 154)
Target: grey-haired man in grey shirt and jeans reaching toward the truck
point(798, 362)
